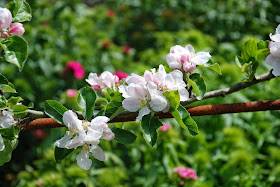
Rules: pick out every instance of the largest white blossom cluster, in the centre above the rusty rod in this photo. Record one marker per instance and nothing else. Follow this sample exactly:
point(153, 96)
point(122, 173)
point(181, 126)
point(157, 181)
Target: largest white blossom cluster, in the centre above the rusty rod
point(146, 93)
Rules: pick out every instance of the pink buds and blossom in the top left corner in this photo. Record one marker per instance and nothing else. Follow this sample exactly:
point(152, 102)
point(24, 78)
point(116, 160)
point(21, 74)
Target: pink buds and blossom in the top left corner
point(5, 22)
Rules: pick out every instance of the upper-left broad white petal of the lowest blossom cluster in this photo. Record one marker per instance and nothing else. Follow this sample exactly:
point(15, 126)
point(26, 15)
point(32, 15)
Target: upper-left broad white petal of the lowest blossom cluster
point(70, 119)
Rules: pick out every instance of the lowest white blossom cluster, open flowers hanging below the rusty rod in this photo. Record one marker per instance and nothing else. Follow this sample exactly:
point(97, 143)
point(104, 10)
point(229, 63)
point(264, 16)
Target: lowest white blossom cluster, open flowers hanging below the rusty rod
point(85, 134)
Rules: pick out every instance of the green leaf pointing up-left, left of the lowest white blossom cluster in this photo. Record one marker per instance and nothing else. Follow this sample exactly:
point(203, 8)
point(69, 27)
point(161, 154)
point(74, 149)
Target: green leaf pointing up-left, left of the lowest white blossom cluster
point(55, 110)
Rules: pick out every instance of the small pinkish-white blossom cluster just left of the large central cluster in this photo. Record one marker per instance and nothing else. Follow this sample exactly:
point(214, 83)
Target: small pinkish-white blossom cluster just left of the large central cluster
point(105, 80)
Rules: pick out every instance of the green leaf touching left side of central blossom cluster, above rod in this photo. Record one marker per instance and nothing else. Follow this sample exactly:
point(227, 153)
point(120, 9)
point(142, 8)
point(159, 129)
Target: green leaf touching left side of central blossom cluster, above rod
point(114, 108)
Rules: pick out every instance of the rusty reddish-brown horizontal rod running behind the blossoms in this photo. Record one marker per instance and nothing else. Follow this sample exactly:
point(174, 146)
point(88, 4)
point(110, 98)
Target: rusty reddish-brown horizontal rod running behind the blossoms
point(194, 111)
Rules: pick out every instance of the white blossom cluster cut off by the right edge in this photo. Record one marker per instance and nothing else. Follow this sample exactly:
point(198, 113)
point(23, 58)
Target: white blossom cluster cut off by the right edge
point(274, 58)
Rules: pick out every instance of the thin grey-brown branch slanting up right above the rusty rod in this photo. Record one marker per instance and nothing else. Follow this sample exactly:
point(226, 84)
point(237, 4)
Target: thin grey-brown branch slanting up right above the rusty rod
point(234, 88)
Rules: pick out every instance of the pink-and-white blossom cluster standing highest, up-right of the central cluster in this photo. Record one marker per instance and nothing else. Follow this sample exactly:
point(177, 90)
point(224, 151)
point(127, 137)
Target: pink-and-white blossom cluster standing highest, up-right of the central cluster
point(186, 58)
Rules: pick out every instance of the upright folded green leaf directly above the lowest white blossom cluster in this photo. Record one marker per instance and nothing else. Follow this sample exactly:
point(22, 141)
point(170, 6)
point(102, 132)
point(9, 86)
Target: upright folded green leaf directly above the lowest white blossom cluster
point(86, 100)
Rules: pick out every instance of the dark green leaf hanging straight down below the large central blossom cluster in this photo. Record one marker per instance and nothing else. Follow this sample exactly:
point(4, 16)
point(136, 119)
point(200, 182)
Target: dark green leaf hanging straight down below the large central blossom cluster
point(149, 125)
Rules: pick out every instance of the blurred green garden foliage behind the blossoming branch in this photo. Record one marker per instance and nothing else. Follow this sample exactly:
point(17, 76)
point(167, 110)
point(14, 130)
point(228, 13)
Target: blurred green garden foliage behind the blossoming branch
point(231, 150)
